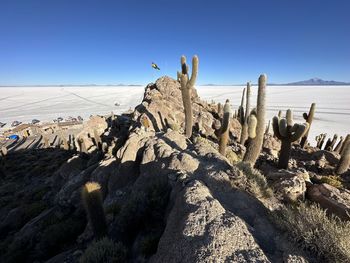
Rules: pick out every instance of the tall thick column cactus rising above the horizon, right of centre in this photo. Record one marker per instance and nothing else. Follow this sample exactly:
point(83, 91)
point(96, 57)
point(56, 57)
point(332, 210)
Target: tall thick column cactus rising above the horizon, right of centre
point(254, 146)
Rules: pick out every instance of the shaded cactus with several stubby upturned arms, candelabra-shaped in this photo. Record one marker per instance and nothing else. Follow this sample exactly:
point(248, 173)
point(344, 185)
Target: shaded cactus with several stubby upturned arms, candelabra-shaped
point(287, 132)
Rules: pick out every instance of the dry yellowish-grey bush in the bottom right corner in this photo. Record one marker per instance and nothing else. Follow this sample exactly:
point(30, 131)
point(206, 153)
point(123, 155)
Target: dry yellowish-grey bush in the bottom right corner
point(326, 237)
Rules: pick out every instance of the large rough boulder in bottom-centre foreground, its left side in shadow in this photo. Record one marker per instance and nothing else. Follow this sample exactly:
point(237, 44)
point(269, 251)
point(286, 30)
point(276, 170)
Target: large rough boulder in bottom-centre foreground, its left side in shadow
point(199, 229)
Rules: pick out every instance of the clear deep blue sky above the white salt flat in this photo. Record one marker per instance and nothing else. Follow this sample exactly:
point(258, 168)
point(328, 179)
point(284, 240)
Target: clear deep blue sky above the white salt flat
point(102, 42)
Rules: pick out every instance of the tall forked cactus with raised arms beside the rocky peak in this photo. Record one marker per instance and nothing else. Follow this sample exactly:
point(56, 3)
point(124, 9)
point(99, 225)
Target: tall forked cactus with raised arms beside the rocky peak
point(187, 84)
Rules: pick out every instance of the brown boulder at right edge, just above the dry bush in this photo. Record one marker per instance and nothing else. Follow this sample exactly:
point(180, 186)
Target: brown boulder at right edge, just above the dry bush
point(334, 200)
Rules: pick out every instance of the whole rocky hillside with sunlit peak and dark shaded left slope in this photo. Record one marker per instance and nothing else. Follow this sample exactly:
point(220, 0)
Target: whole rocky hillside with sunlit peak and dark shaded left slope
point(167, 198)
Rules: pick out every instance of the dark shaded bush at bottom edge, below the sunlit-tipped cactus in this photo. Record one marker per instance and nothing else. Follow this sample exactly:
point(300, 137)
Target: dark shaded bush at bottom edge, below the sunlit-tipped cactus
point(104, 250)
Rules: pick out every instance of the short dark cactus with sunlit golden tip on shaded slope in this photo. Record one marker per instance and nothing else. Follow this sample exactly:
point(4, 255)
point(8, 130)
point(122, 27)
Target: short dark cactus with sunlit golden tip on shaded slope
point(92, 200)
